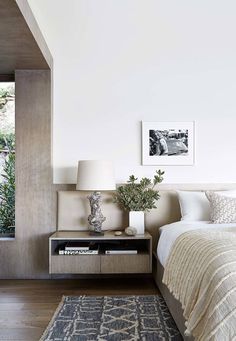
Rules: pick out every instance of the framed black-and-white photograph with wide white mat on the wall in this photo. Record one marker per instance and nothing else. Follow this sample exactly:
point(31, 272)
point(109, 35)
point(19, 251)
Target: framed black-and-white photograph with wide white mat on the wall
point(167, 143)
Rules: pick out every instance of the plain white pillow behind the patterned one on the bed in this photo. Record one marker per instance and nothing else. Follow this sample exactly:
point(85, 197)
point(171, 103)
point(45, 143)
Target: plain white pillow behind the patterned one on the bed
point(195, 206)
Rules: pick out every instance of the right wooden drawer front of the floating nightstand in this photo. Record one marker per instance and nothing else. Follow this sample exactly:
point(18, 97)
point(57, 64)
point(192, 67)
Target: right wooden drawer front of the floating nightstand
point(137, 263)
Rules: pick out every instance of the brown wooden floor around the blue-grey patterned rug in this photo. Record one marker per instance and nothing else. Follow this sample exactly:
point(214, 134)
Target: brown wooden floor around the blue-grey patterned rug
point(27, 306)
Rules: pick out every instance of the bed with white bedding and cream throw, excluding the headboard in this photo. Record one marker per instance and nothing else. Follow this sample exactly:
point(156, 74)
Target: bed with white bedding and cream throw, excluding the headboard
point(194, 237)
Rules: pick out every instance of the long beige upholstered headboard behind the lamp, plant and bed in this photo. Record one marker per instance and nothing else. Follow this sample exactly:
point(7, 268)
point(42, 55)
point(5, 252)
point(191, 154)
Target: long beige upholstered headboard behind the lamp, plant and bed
point(73, 208)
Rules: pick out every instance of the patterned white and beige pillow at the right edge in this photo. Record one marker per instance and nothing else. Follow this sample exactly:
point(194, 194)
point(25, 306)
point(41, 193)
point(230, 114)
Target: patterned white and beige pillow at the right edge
point(223, 208)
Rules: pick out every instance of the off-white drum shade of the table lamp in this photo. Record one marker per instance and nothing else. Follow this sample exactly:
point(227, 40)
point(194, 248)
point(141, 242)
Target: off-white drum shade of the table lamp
point(95, 175)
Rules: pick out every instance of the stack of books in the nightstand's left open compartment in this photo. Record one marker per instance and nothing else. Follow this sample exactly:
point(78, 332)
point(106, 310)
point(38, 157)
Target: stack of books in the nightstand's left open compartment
point(76, 248)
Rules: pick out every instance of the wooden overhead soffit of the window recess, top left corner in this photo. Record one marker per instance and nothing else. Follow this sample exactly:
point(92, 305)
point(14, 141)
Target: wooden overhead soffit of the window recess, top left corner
point(22, 44)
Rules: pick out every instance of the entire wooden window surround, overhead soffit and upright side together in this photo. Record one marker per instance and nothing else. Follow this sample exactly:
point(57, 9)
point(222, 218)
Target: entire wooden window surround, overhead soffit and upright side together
point(23, 47)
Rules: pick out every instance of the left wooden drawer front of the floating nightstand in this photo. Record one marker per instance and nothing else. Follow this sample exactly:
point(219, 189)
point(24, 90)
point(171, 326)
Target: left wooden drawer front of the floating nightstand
point(78, 264)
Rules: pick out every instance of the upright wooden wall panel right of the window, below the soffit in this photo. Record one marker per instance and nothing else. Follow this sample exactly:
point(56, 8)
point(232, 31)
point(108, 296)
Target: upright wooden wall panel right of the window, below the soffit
point(27, 255)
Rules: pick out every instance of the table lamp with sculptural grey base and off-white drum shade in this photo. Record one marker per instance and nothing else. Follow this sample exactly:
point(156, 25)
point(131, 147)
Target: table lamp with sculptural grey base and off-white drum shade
point(96, 176)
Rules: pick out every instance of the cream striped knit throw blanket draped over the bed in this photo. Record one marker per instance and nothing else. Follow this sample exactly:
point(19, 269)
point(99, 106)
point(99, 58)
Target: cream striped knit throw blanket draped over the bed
point(201, 274)
